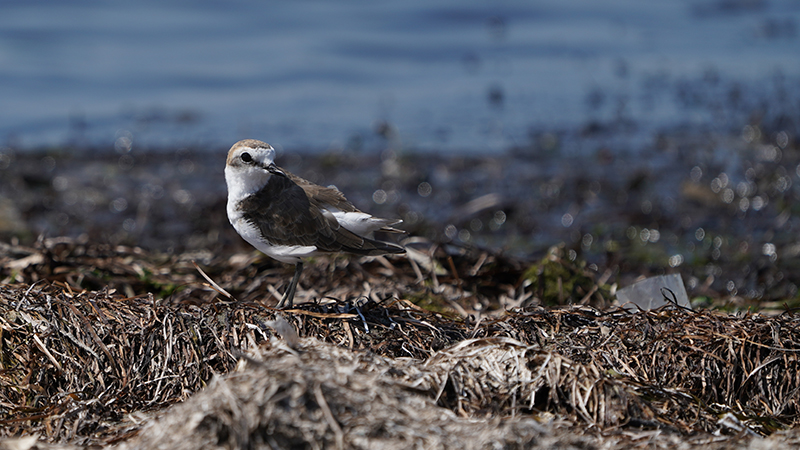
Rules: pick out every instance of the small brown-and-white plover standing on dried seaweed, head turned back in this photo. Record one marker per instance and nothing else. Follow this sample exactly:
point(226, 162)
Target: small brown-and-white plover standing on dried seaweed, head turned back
point(289, 218)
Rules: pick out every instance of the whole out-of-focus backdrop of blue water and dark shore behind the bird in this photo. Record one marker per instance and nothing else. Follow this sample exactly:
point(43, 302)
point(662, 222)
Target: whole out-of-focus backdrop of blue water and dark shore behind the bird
point(644, 137)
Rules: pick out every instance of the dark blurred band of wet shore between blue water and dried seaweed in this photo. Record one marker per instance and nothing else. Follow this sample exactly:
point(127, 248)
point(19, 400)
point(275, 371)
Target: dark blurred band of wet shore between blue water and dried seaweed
point(716, 208)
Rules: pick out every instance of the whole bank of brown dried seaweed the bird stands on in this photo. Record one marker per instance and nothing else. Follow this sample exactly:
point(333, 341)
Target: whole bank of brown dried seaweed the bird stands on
point(83, 366)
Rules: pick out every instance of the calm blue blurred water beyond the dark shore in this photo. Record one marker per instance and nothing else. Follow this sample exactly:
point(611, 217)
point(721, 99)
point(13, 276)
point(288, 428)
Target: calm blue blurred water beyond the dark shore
point(450, 75)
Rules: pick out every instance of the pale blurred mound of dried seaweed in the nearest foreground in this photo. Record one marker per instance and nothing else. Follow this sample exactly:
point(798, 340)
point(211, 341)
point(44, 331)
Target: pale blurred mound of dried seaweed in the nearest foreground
point(323, 396)
